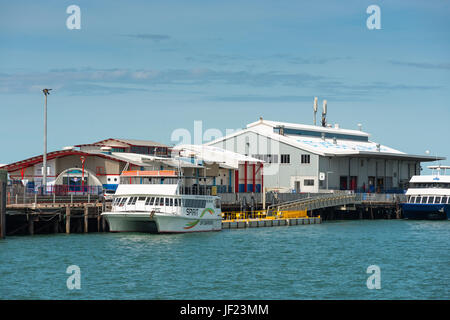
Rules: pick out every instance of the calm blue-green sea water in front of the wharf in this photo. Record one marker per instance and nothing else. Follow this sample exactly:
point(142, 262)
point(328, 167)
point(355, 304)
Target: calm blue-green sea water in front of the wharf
point(327, 261)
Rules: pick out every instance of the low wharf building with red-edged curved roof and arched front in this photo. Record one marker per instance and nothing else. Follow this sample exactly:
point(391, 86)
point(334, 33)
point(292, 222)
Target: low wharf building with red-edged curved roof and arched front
point(96, 167)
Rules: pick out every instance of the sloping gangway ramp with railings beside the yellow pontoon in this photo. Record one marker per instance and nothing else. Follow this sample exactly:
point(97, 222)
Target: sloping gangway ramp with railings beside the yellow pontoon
point(314, 203)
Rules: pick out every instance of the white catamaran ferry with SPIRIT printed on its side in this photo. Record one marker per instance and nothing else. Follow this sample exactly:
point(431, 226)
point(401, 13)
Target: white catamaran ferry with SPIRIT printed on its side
point(153, 201)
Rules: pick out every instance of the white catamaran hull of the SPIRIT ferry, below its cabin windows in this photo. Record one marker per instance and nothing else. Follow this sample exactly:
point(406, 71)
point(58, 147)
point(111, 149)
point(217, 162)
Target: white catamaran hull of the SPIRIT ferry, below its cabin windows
point(160, 223)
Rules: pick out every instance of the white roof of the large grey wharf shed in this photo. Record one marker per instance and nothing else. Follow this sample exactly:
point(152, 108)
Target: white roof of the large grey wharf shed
point(326, 146)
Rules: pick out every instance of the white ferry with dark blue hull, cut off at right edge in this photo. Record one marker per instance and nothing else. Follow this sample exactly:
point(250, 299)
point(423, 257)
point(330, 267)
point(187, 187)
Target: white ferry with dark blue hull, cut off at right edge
point(429, 195)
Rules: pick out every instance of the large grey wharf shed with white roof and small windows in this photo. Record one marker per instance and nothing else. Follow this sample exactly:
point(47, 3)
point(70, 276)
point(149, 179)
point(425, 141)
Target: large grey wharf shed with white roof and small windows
point(310, 158)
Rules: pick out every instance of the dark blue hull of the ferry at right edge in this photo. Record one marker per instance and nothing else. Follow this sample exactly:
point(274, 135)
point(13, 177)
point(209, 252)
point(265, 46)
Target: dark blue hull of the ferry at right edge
point(419, 211)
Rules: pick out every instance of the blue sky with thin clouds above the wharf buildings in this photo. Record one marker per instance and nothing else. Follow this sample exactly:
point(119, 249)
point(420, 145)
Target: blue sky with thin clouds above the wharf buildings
point(141, 69)
